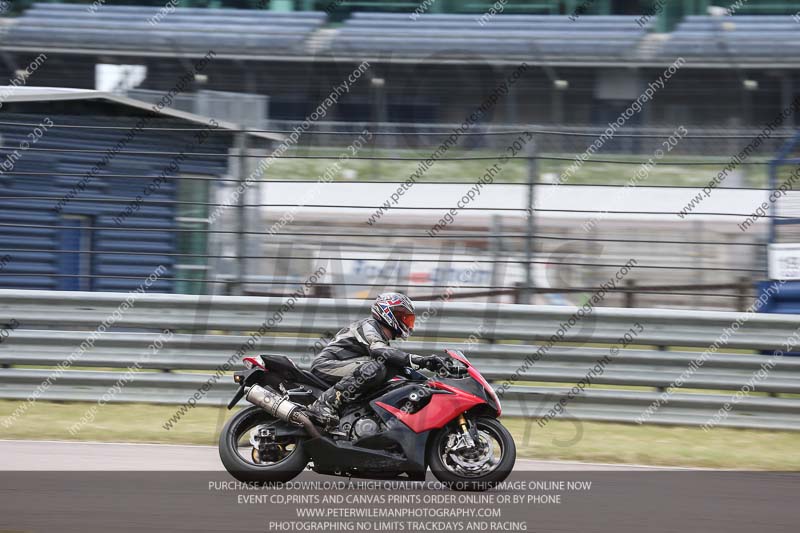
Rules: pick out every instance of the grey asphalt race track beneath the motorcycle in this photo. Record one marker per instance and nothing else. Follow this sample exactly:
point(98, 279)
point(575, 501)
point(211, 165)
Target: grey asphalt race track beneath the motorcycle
point(82, 487)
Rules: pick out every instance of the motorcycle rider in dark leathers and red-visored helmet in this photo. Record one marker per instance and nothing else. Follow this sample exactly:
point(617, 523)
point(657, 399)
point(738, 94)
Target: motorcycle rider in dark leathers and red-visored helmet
point(359, 358)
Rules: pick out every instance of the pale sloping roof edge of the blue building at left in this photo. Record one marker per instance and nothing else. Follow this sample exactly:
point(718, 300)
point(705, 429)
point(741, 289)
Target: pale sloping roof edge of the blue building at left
point(11, 93)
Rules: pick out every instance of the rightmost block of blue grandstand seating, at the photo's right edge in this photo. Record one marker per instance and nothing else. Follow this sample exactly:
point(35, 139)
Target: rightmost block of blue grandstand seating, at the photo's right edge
point(739, 36)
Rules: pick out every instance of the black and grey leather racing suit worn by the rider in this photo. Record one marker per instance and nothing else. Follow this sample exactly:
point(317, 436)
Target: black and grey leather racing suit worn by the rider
point(359, 360)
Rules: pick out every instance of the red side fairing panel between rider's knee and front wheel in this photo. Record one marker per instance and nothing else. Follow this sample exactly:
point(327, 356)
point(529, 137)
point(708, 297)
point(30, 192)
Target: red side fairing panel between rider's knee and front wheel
point(442, 409)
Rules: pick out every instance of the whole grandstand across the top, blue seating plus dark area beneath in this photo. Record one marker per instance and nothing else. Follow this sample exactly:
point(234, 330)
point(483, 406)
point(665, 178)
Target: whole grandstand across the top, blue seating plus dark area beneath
point(587, 67)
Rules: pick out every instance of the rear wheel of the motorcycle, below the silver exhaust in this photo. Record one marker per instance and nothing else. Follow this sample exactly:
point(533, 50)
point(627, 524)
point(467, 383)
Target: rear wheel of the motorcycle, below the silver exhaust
point(251, 453)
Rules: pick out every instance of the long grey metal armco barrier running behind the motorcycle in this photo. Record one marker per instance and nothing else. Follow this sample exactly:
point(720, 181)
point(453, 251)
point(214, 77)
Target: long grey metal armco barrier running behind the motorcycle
point(209, 329)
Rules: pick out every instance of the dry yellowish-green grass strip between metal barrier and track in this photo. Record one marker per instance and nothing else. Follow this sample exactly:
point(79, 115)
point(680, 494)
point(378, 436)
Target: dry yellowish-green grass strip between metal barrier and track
point(592, 442)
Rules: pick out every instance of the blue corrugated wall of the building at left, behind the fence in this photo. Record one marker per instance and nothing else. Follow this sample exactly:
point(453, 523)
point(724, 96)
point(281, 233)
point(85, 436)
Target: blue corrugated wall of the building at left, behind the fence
point(82, 235)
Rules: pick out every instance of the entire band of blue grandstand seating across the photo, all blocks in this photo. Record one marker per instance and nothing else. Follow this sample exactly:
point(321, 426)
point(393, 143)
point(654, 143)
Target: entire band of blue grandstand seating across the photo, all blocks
point(508, 36)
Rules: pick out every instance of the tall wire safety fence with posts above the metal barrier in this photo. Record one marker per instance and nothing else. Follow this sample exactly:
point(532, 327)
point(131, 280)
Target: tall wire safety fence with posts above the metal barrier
point(337, 189)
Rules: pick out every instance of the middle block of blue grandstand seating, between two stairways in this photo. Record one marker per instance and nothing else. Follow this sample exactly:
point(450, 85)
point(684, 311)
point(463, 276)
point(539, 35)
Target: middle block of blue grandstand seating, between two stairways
point(522, 36)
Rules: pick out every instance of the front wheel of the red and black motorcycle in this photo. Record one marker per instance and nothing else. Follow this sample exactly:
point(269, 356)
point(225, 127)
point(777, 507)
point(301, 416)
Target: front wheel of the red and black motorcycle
point(476, 468)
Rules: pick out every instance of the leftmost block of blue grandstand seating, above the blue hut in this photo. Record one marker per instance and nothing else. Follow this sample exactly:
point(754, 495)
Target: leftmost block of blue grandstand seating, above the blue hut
point(47, 26)
